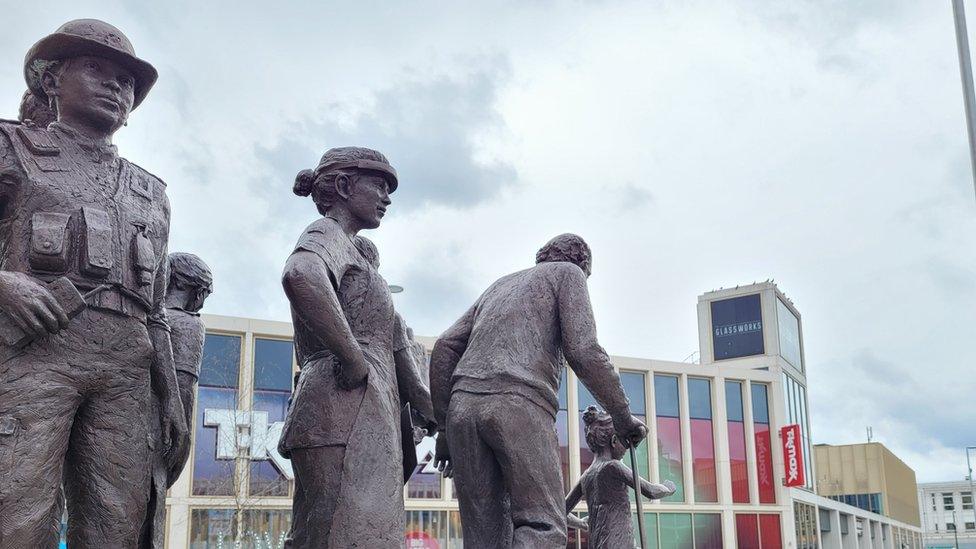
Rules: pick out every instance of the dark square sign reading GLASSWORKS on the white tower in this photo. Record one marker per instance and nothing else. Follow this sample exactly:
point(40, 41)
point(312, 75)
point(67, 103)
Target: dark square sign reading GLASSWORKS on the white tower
point(737, 328)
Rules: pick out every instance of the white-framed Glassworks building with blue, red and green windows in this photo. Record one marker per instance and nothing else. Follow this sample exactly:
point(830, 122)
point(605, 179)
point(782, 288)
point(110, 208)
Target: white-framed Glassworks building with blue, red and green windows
point(714, 431)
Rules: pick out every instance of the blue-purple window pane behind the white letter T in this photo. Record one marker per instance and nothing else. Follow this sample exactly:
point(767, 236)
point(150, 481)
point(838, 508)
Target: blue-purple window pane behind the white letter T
point(212, 477)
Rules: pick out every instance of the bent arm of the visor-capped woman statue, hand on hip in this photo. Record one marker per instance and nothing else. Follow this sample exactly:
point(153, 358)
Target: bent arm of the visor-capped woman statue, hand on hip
point(309, 287)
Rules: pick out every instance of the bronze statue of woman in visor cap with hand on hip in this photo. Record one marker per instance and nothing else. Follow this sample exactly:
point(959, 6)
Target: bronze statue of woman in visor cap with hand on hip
point(342, 431)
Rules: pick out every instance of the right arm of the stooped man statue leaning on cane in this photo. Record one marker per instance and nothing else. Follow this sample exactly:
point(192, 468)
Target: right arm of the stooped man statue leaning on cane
point(580, 346)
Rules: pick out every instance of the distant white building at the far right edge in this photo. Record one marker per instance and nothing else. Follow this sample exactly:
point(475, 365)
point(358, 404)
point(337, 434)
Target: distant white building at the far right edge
point(948, 516)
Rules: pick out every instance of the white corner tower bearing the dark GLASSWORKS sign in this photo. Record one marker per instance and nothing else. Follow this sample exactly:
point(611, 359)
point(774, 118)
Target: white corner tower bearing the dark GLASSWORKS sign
point(758, 327)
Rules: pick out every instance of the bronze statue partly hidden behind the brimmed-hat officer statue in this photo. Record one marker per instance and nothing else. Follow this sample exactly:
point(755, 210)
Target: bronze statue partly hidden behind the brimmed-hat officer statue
point(190, 283)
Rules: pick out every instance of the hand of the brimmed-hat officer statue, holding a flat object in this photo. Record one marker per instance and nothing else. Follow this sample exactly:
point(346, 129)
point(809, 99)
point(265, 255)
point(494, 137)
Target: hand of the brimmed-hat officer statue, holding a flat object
point(30, 305)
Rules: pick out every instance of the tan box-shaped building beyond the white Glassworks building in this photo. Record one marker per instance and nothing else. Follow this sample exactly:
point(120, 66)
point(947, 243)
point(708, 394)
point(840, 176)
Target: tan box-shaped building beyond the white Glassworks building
point(870, 477)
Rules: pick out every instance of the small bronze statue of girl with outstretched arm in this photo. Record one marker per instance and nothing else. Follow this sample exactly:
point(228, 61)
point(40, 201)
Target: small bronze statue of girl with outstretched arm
point(605, 486)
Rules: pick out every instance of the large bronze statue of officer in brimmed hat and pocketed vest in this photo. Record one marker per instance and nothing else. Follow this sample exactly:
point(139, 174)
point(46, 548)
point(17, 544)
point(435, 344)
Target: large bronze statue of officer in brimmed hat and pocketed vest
point(74, 384)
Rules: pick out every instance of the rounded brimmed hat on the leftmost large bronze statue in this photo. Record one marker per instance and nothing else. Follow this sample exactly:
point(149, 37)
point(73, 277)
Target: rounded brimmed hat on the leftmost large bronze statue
point(88, 37)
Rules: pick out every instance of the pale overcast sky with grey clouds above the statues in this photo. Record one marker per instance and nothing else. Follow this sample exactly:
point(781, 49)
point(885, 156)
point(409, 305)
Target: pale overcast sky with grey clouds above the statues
point(695, 146)
